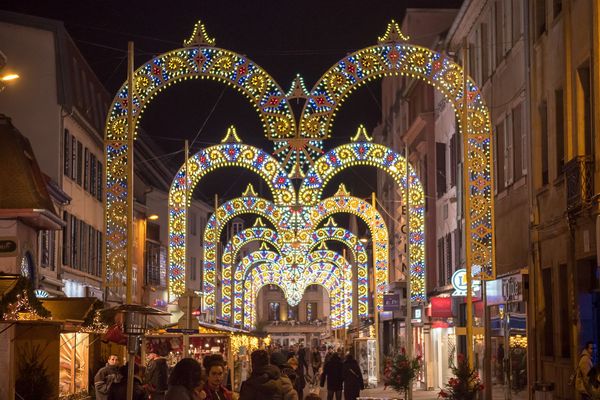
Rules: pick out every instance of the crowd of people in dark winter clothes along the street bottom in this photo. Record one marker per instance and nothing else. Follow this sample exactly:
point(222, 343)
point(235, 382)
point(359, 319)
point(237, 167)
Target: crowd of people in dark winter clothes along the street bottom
point(276, 374)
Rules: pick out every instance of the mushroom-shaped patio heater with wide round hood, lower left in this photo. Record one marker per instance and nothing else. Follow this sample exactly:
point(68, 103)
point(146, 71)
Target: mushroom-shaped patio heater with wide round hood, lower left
point(135, 323)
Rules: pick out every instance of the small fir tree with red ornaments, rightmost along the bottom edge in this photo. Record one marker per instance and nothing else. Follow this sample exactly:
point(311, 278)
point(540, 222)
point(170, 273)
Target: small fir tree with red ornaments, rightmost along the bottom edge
point(465, 385)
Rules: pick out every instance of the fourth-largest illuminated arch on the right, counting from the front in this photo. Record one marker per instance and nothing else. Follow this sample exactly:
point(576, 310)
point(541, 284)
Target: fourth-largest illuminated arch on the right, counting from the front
point(332, 232)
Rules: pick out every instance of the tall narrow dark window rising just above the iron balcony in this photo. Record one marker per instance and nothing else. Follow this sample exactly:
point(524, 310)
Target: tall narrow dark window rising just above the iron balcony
point(584, 106)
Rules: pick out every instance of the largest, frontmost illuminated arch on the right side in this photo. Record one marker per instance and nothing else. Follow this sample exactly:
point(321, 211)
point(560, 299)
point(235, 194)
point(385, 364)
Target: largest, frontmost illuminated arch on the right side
point(394, 57)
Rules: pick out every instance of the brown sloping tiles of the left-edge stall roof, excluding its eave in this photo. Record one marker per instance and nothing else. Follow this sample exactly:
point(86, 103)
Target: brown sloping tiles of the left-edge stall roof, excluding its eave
point(22, 185)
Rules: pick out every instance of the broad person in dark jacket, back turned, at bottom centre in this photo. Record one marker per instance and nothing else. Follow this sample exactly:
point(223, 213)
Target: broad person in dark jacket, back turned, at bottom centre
point(265, 381)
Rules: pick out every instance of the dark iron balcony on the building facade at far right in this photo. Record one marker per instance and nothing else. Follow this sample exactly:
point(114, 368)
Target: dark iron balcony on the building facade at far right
point(579, 177)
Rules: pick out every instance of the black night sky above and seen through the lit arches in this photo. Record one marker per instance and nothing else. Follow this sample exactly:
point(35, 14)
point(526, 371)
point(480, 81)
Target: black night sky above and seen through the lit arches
point(284, 37)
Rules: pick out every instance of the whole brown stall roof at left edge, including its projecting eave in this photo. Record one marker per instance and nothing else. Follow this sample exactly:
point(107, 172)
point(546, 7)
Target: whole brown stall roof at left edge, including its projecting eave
point(22, 184)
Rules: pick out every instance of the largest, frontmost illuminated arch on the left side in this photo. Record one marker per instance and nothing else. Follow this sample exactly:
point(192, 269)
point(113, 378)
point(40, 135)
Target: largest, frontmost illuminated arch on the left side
point(199, 60)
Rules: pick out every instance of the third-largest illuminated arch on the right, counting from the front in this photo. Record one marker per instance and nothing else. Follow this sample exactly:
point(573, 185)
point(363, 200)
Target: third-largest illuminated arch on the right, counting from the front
point(342, 202)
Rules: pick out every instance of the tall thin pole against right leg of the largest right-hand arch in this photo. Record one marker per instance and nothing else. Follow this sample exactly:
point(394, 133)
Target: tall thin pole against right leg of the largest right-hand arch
point(467, 214)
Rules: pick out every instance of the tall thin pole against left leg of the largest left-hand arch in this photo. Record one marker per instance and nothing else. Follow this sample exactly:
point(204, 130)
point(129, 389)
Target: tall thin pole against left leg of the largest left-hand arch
point(130, 175)
